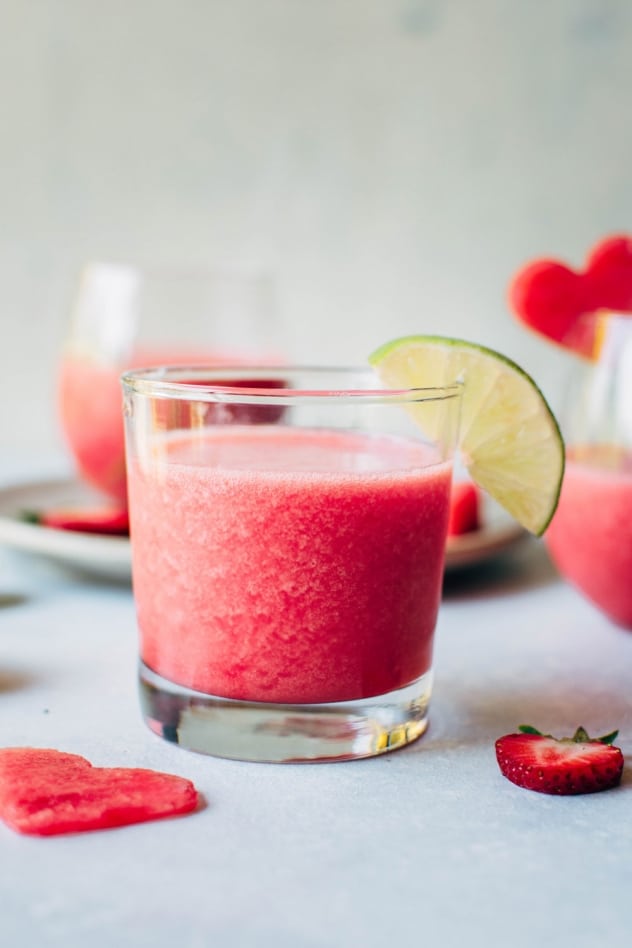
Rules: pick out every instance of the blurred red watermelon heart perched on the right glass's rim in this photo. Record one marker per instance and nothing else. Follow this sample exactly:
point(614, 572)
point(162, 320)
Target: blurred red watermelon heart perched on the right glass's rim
point(559, 302)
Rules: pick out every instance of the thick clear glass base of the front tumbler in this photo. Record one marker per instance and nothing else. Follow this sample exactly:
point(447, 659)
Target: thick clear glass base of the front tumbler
point(284, 733)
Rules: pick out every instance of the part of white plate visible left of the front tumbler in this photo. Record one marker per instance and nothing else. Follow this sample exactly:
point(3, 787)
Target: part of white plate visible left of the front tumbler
point(107, 556)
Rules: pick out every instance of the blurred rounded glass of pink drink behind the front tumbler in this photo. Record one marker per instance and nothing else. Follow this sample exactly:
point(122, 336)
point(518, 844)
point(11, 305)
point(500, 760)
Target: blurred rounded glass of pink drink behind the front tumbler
point(126, 316)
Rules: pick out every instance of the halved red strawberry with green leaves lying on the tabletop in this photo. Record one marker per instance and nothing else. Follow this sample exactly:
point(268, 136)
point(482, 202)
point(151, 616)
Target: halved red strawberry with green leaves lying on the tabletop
point(564, 766)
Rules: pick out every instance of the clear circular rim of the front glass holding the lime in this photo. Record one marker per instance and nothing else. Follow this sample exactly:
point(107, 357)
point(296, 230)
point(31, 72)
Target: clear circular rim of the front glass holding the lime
point(217, 384)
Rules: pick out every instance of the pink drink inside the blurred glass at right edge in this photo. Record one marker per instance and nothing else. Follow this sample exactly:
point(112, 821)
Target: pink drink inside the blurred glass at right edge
point(590, 537)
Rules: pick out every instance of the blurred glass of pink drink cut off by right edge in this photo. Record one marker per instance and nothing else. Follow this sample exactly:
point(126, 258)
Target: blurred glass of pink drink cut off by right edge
point(590, 537)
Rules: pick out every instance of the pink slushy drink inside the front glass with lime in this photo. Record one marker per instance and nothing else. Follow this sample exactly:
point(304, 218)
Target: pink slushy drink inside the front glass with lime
point(286, 565)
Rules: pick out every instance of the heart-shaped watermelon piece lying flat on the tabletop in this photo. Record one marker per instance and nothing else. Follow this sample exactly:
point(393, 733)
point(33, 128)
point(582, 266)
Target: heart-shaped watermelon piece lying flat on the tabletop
point(46, 792)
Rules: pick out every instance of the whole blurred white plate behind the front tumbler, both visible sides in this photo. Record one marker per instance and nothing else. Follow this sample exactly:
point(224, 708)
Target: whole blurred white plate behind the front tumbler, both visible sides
point(111, 556)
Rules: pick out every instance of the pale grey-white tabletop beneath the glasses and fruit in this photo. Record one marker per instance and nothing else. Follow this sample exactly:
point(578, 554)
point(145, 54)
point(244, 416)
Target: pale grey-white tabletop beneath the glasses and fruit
point(427, 845)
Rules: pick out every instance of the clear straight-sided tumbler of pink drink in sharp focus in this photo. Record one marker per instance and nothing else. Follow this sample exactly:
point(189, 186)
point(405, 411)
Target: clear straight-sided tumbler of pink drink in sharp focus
point(288, 532)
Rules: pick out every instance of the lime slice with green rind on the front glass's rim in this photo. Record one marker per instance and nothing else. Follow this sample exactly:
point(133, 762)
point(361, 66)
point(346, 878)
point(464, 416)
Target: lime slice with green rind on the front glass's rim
point(510, 442)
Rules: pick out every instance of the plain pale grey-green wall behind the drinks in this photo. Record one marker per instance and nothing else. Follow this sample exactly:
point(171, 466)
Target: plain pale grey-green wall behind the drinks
point(394, 161)
